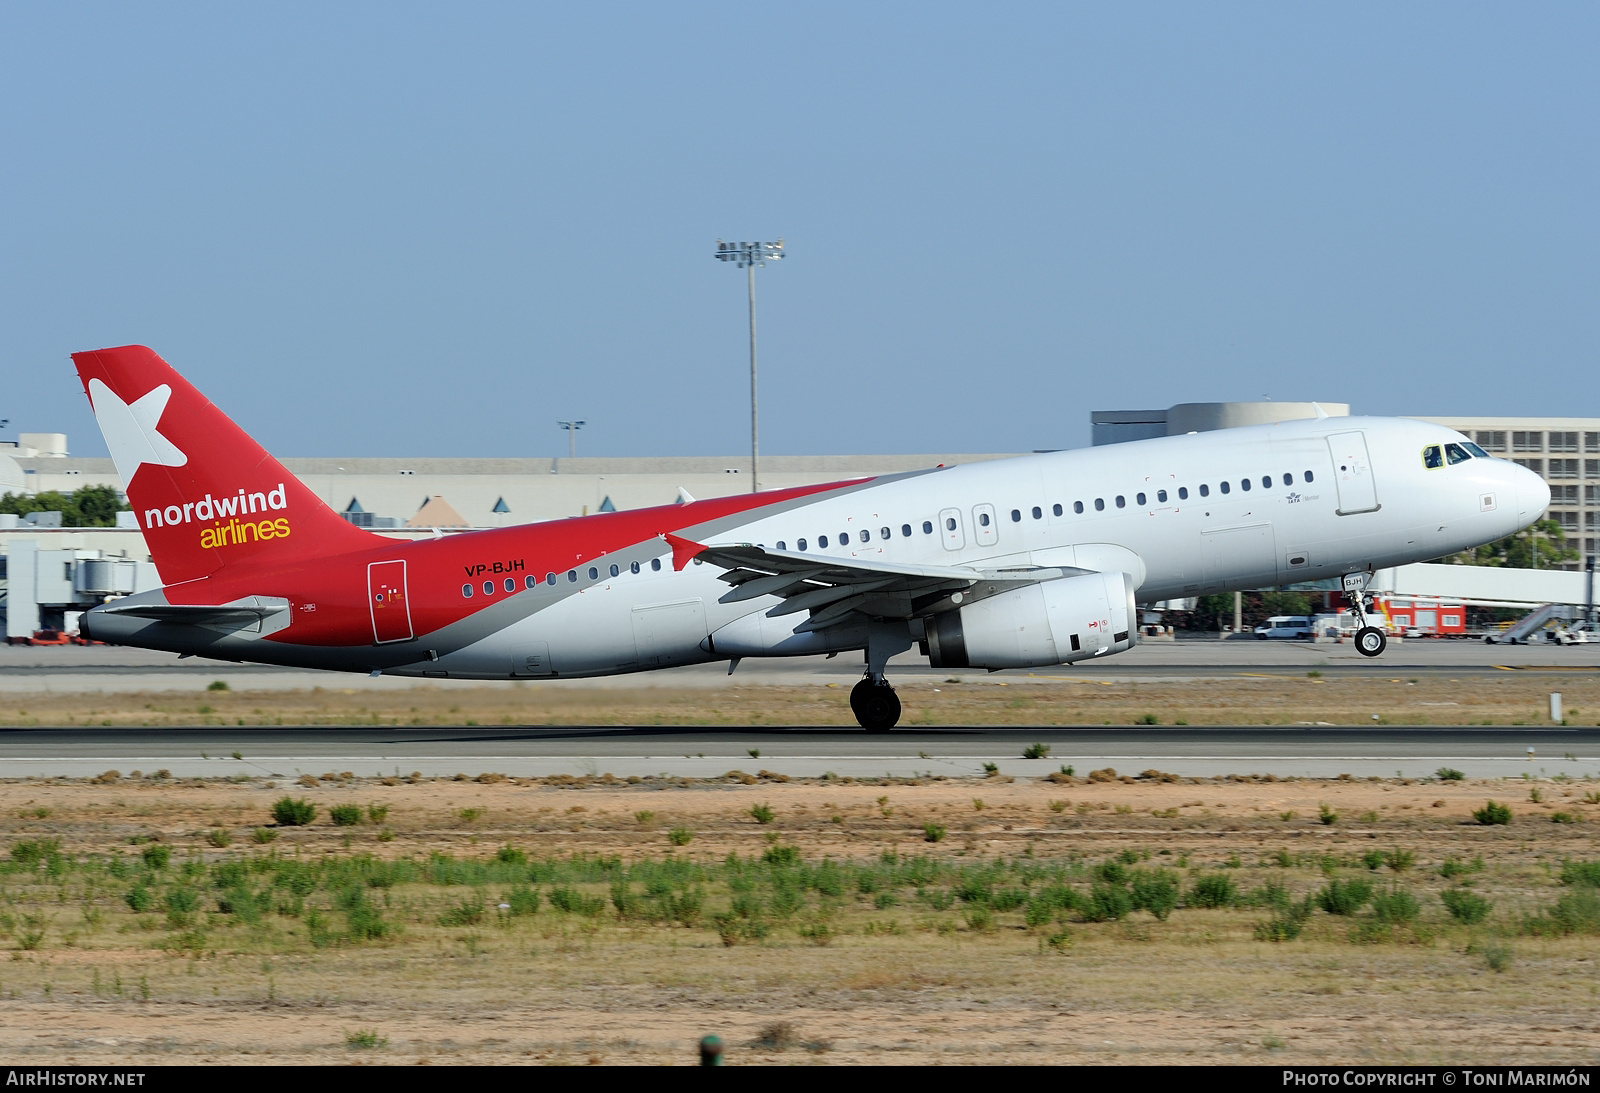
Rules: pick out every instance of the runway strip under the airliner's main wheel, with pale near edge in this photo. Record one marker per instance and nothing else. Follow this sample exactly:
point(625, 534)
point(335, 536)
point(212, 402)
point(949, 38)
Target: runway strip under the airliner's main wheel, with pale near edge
point(801, 751)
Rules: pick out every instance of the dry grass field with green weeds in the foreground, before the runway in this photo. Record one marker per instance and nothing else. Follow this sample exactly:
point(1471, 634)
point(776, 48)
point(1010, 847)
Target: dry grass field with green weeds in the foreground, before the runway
point(590, 921)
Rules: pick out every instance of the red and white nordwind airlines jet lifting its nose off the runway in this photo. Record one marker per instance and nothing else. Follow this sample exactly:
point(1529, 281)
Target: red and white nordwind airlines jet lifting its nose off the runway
point(1012, 564)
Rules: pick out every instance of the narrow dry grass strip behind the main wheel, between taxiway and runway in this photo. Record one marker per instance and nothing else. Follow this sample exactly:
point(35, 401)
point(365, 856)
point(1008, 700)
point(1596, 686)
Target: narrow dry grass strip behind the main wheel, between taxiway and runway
point(1502, 699)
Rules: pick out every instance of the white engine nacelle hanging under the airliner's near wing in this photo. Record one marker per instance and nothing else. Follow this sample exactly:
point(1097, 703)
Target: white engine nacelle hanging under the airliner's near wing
point(1054, 623)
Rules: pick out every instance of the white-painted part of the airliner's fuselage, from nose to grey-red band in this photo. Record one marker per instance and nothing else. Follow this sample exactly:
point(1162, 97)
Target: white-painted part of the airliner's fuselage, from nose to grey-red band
point(1324, 498)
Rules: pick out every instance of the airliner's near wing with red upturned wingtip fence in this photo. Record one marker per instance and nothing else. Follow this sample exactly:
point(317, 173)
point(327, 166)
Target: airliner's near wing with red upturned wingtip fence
point(834, 590)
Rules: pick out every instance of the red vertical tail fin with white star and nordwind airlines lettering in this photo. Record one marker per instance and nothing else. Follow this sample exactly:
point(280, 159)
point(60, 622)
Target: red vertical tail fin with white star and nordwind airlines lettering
point(202, 490)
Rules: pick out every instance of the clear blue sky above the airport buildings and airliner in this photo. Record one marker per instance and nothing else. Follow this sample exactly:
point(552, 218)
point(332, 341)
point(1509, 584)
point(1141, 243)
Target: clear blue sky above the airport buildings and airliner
point(436, 230)
